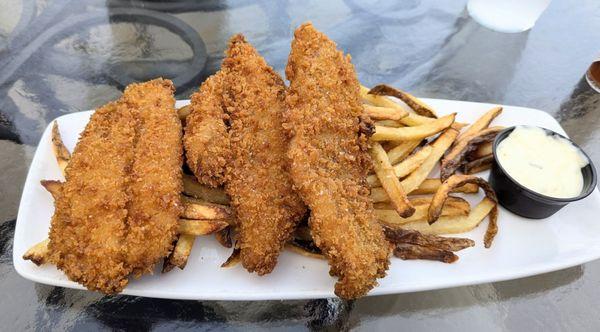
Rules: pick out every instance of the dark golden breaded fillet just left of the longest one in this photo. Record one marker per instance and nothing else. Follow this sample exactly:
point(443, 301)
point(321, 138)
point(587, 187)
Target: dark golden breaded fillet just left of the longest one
point(266, 206)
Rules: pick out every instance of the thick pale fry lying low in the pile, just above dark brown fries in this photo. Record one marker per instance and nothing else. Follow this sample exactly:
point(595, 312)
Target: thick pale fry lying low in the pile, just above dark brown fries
point(455, 224)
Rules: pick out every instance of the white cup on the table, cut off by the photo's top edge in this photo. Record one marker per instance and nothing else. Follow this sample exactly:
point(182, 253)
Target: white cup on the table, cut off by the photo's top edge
point(509, 16)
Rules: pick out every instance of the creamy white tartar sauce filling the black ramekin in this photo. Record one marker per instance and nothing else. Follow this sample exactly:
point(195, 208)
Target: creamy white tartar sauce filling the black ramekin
point(547, 164)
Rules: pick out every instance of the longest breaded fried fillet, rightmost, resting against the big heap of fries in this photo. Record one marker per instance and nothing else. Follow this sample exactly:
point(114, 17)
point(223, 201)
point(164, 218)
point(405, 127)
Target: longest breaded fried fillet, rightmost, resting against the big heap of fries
point(329, 161)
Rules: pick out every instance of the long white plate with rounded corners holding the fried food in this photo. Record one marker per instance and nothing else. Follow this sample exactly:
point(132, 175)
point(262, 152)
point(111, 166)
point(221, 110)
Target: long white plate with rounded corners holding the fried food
point(522, 247)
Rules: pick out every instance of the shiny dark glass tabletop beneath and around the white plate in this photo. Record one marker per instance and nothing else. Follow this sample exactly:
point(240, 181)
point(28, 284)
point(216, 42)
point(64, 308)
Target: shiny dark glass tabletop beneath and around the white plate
point(63, 56)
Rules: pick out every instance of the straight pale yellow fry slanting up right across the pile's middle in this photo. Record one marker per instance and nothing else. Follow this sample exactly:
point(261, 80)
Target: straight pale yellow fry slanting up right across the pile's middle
point(441, 144)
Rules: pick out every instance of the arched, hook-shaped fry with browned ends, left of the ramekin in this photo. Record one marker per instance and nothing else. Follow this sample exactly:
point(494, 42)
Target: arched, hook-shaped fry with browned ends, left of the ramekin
point(435, 209)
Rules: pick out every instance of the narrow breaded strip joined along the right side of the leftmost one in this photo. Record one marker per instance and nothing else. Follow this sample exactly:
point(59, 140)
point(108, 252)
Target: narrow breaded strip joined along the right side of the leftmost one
point(156, 183)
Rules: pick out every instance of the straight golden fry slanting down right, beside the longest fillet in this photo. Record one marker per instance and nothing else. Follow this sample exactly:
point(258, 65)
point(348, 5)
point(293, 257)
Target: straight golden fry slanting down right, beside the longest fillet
point(390, 183)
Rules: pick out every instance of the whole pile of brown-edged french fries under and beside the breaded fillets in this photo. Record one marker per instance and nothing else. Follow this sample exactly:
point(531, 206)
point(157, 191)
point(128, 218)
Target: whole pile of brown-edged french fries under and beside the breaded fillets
point(414, 209)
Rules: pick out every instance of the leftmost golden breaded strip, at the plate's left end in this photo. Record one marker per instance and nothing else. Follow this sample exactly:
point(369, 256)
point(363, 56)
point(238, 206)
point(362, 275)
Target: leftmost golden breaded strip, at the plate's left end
point(88, 232)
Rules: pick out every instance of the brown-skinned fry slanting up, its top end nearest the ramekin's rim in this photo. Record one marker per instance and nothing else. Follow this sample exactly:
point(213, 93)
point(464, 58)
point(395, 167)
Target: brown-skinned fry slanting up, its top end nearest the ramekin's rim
point(455, 157)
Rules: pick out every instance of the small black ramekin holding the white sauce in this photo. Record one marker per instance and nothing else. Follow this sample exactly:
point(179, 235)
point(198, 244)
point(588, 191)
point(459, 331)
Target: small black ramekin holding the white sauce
point(526, 202)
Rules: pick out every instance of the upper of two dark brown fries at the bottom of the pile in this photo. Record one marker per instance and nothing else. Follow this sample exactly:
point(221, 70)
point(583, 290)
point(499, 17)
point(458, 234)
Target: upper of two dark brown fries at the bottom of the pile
point(399, 235)
